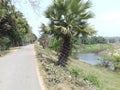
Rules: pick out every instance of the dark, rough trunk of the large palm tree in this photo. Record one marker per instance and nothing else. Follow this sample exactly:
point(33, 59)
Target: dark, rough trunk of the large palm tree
point(65, 51)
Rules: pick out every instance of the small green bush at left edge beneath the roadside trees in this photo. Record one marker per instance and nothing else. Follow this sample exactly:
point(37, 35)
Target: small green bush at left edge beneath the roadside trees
point(4, 43)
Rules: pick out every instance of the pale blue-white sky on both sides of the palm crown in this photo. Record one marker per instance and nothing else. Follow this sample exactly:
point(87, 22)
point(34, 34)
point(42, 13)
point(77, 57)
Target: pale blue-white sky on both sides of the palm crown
point(106, 19)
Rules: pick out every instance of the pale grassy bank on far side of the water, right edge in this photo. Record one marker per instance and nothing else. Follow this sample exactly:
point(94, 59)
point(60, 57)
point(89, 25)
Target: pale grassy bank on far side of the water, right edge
point(111, 55)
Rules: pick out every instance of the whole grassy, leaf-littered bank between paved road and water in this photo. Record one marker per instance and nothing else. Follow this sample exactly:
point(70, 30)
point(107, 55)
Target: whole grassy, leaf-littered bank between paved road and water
point(76, 75)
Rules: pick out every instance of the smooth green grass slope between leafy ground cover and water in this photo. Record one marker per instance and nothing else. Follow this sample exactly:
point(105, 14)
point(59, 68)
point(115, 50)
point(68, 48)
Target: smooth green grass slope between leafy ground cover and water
point(101, 77)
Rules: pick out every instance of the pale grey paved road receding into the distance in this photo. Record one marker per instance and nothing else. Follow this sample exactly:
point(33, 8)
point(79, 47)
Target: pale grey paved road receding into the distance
point(18, 70)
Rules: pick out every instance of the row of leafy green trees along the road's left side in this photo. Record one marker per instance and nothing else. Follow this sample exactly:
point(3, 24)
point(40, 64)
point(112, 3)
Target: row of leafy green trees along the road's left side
point(14, 28)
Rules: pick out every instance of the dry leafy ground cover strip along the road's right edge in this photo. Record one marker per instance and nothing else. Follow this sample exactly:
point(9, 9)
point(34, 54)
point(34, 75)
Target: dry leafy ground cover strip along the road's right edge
point(62, 78)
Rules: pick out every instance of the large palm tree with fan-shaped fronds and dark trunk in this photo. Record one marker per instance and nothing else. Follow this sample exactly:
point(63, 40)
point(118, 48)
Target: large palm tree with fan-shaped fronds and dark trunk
point(68, 18)
